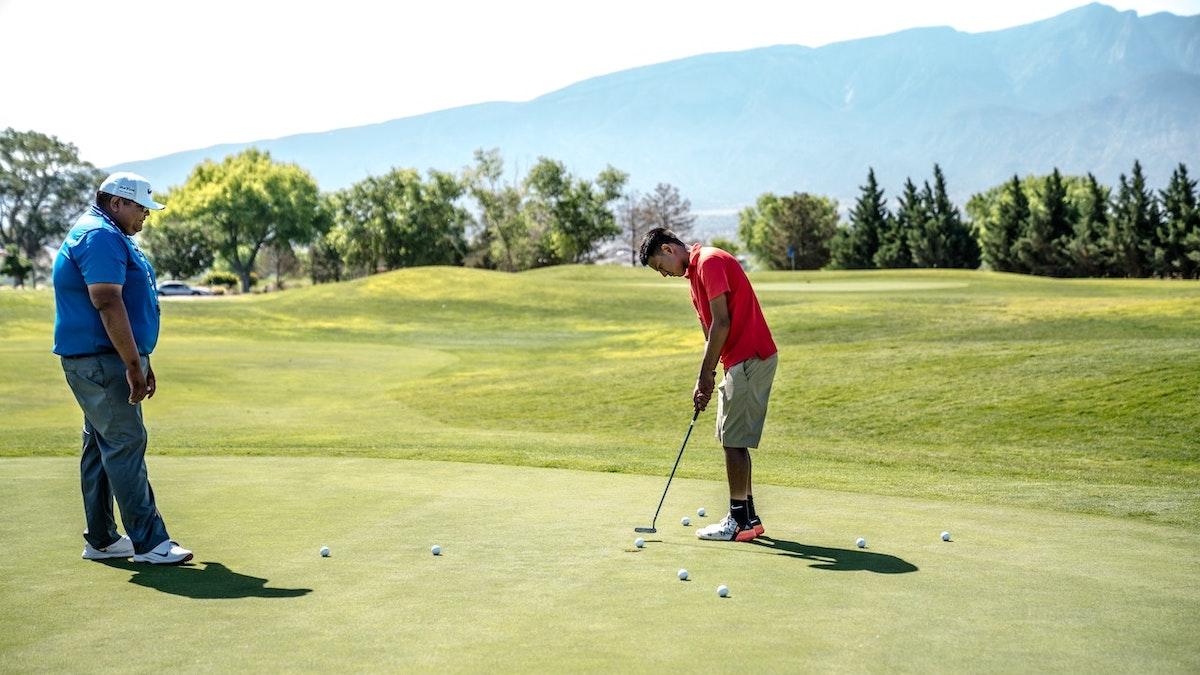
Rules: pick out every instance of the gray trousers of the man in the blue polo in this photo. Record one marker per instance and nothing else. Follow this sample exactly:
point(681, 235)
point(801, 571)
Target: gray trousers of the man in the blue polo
point(113, 462)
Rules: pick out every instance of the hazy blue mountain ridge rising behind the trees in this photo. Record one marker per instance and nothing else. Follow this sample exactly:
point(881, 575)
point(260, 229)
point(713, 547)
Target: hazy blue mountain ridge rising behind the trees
point(1089, 91)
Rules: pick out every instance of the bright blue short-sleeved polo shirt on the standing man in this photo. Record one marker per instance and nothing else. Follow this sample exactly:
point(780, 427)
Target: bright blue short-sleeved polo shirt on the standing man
point(97, 252)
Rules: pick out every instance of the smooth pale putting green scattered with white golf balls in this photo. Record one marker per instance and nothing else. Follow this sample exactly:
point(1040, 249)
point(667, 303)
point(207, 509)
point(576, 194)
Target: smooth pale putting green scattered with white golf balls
point(539, 574)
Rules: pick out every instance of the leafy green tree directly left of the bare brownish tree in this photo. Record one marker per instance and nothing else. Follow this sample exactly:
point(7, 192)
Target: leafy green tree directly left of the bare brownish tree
point(569, 217)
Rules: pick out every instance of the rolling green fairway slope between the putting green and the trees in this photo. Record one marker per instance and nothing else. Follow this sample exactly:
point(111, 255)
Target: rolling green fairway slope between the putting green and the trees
point(1077, 396)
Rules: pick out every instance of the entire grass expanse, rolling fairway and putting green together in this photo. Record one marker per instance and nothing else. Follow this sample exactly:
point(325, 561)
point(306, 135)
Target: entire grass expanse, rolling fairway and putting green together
point(1051, 426)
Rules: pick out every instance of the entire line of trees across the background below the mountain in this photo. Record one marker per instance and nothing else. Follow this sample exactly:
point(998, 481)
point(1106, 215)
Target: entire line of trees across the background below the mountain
point(251, 216)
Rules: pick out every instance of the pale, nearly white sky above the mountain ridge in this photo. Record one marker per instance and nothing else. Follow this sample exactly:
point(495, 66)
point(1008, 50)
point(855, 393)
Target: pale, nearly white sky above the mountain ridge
point(185, 75)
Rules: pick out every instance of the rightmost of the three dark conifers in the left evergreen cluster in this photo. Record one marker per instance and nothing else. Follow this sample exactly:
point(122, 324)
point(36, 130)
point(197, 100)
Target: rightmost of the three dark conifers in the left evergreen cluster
point(945, 242)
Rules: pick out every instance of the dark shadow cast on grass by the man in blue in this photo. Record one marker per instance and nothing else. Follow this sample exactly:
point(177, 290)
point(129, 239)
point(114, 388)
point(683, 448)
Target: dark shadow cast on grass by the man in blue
point(213, 582)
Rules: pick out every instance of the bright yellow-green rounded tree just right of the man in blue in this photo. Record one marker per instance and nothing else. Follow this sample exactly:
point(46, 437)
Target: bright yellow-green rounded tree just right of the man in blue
point(249, 202)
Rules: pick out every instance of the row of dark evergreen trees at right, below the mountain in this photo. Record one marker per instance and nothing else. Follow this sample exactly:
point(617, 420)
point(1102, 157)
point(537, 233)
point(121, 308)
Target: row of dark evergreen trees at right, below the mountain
point(1053, 226)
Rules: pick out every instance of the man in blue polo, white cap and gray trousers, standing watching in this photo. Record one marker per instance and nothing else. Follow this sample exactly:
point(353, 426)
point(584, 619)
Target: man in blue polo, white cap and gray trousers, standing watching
point(106, 327)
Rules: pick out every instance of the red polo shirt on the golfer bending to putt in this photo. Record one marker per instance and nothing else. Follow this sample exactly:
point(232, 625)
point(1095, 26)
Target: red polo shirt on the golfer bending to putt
point(713, 272)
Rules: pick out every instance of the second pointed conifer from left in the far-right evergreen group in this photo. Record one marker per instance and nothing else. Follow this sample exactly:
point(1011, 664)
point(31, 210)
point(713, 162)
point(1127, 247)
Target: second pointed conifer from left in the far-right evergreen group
point(1042, 248)
